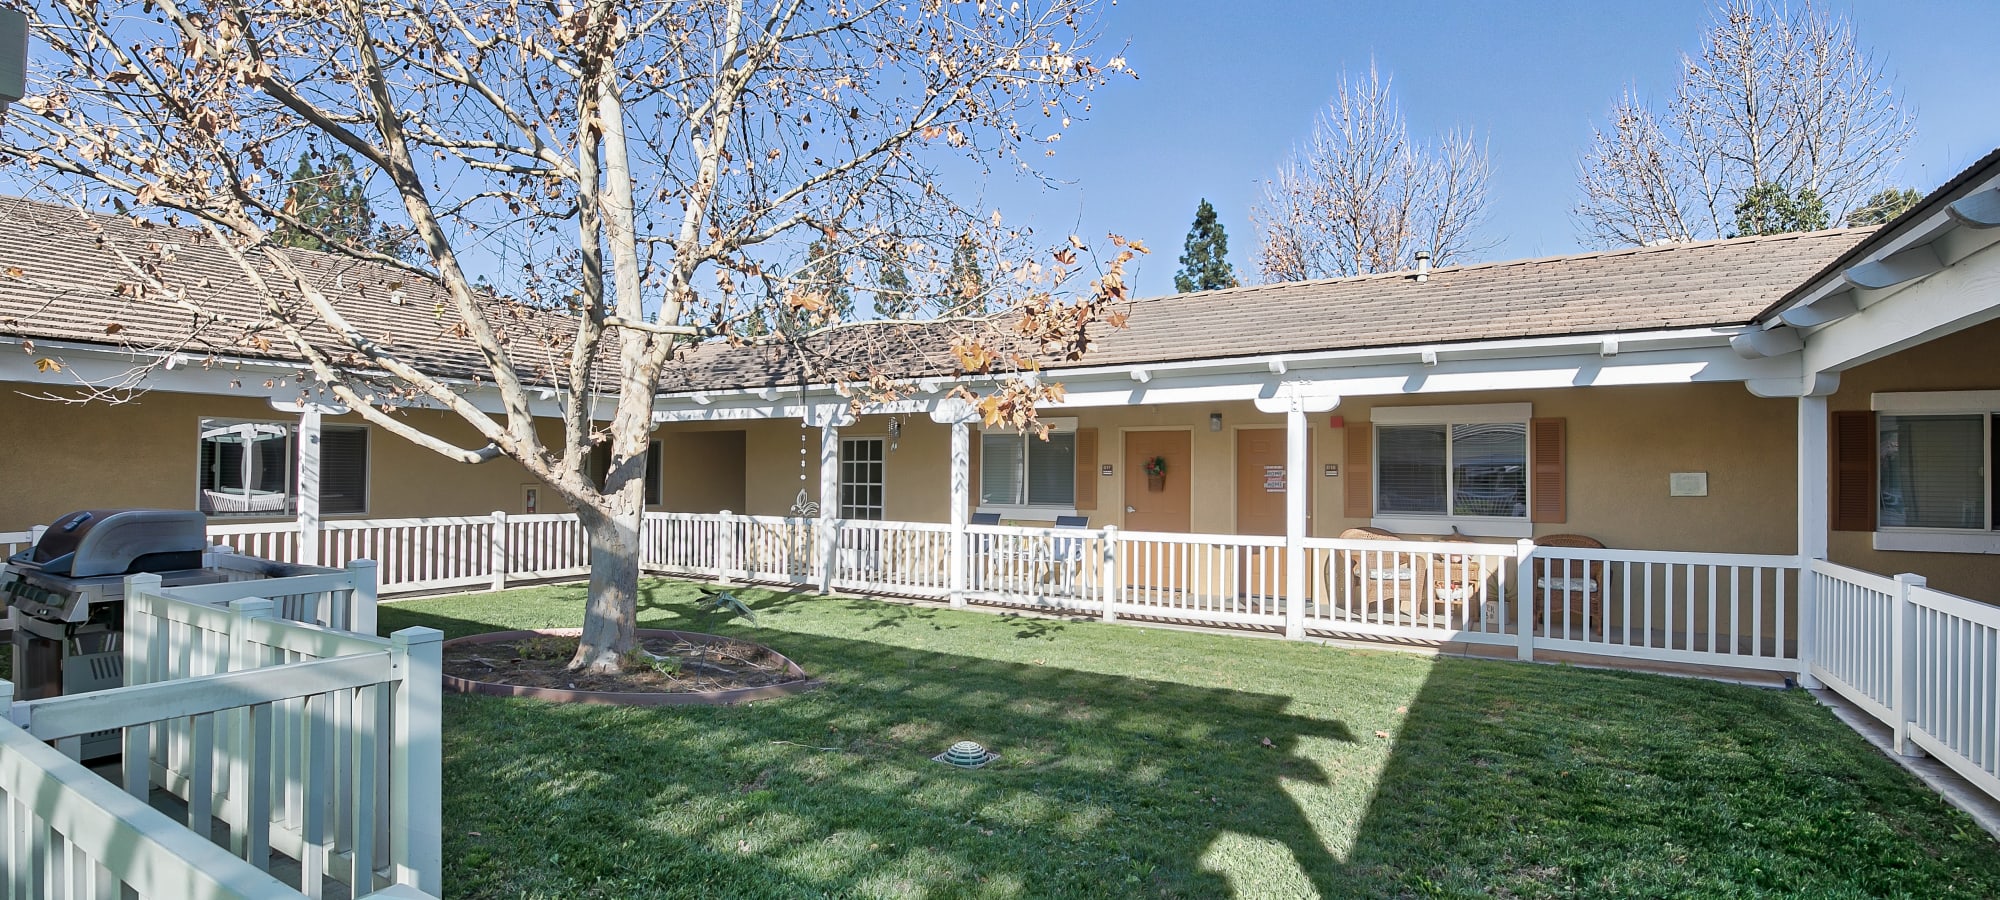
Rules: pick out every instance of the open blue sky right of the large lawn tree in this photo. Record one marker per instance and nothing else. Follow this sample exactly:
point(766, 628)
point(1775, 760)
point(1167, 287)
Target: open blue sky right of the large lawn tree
point(1227, 89)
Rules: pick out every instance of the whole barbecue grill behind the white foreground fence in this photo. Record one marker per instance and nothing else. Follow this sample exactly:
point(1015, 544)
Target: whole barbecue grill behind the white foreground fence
point(67, 595)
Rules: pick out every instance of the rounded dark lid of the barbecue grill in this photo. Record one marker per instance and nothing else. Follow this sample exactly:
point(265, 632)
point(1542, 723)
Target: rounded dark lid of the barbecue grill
point(97, 543)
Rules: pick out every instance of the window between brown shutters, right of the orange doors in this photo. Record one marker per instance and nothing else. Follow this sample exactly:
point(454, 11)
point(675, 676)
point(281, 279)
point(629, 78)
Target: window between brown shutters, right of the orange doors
point(1453, 461)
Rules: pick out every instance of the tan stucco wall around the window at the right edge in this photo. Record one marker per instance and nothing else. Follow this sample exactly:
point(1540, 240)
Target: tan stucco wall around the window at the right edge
point(1965, 361)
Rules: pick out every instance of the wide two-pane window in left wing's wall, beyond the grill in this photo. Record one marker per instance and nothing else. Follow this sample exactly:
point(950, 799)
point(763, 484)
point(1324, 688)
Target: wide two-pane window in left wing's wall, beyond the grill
point(251, 469)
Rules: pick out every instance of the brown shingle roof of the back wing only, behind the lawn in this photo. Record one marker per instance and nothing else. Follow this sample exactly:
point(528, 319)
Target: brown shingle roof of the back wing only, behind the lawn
point(1717, 283)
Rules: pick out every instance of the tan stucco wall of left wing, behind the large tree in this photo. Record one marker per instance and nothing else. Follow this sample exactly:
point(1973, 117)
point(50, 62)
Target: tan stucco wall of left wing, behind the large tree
point(71, 457)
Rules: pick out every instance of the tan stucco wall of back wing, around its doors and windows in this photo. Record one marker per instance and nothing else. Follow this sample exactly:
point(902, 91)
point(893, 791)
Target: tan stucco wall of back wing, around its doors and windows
point(1623, 443)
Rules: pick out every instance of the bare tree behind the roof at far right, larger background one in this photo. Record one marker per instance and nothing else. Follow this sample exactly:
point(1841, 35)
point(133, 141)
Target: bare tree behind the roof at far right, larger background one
point(1777, 101)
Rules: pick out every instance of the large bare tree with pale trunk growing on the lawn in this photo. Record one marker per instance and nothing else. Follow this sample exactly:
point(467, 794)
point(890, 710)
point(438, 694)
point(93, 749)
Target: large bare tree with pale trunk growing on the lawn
point(653, 167)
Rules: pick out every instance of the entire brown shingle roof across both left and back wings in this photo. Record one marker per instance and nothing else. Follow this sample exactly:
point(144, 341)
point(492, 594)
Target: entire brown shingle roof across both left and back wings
point(71, 291)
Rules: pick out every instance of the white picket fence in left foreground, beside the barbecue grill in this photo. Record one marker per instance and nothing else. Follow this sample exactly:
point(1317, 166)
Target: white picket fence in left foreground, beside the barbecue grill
point(303, 739)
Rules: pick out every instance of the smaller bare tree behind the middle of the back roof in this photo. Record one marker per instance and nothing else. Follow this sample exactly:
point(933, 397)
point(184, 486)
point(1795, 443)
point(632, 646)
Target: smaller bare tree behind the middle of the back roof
point(1361, 197)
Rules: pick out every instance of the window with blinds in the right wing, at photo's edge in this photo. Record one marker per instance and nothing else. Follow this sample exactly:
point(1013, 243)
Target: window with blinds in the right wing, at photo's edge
point(1933, 471)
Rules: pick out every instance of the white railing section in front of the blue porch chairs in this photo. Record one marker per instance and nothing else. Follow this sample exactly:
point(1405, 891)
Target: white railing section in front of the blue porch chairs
point(1035, 567)
